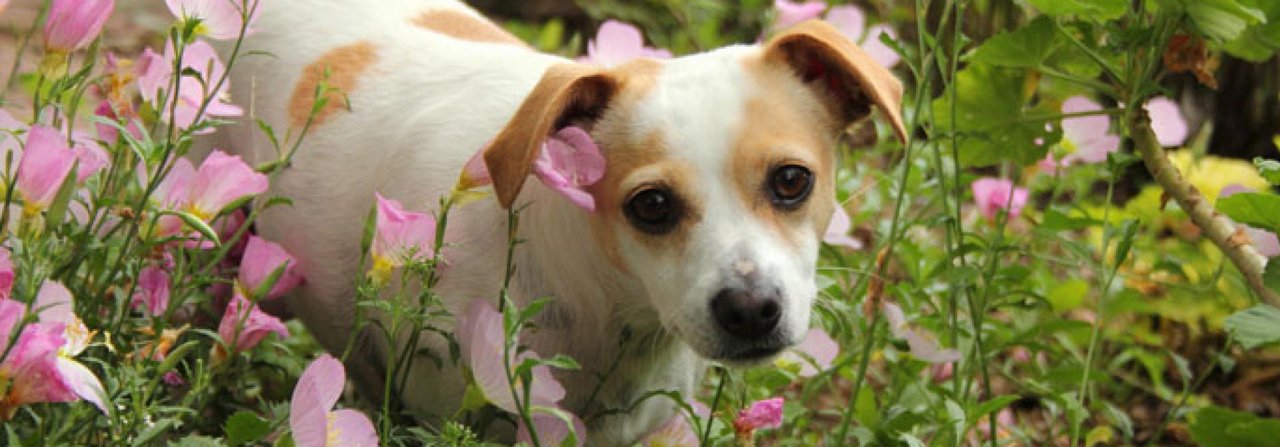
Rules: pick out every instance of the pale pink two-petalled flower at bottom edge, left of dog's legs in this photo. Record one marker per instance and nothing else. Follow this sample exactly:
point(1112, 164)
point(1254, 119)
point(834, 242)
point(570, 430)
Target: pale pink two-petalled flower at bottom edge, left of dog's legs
point(310, 419)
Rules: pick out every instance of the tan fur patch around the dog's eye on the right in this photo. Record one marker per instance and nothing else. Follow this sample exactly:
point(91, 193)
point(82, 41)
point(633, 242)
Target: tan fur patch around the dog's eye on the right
point(785, 124)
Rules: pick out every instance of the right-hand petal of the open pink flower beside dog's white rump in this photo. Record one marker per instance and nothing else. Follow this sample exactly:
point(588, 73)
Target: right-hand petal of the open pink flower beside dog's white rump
point(221, 181)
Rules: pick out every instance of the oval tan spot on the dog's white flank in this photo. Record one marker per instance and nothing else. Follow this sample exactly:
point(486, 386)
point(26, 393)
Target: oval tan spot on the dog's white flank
point(344, 66)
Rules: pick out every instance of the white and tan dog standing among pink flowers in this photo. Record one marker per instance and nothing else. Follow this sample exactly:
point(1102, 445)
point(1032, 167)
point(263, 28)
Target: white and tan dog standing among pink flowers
point(706, 234)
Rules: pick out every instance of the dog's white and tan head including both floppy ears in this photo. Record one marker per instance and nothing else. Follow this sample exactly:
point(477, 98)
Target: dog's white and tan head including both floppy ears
point(720, 176)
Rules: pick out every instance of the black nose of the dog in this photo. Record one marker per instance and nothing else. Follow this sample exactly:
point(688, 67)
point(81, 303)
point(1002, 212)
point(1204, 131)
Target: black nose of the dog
point(747, 313)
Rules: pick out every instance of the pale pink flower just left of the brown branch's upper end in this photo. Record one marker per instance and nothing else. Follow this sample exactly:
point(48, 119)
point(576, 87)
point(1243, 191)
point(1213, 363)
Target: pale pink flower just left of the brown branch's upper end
point(1086, 138)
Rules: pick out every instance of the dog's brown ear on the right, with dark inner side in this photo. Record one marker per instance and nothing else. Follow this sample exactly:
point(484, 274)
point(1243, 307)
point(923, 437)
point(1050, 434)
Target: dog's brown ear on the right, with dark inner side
point(849, 80)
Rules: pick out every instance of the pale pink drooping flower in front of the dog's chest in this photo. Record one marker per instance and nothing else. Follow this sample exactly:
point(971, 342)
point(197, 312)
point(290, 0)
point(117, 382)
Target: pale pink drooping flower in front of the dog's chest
point(481, 336)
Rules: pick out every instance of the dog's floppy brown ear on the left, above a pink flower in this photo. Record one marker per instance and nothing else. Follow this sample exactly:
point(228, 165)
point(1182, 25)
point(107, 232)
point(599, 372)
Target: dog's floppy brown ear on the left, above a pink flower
point(568, 94)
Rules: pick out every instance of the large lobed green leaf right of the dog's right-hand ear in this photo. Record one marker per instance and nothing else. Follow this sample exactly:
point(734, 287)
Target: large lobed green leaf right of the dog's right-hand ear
point(991, 118)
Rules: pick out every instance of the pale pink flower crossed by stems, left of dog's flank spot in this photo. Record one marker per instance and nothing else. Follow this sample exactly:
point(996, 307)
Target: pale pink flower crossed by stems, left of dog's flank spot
point(157, 75)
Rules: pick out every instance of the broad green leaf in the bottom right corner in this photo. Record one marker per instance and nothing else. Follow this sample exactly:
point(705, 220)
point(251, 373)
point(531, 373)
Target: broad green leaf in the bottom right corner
point(1218, 427)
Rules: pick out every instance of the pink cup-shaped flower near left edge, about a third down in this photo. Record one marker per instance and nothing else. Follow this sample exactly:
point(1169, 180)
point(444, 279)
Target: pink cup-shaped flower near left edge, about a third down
point(45, 165)
